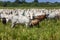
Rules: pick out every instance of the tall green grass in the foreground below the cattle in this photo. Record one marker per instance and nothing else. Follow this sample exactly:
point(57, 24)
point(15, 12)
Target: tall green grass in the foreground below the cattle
point(49, 30)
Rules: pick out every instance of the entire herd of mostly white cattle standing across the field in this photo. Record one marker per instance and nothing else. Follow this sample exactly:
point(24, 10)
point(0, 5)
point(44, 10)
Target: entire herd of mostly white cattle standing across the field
point(29, 17)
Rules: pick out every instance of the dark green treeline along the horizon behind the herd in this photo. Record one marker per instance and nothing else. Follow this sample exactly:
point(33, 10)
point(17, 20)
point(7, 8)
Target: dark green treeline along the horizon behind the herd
point(23, 3)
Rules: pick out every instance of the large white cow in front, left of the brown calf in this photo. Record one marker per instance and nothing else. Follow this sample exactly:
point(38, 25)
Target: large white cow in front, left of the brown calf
point(20, 19)
